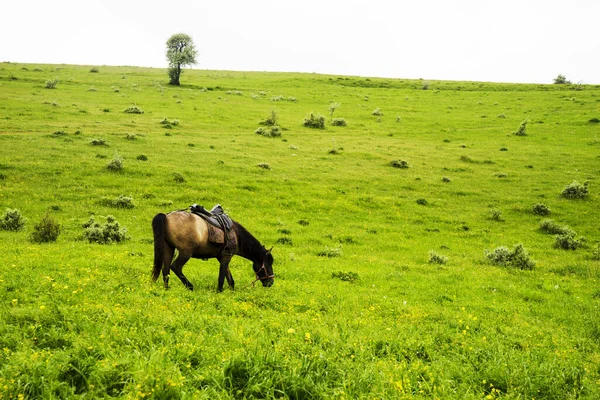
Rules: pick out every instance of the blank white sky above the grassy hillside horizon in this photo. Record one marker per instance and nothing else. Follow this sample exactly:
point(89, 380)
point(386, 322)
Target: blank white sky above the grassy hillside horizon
point(503, 41)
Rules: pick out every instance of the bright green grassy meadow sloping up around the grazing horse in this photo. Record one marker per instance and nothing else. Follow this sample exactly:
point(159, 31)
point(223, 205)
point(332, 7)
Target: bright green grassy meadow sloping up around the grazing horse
point(398, 271)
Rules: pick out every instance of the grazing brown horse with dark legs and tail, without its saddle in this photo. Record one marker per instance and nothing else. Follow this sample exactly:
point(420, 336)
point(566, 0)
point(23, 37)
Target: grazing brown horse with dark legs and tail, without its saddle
point(188, 233)
